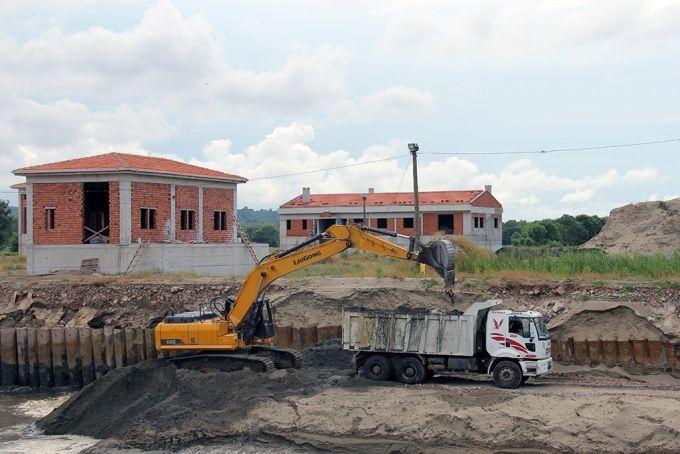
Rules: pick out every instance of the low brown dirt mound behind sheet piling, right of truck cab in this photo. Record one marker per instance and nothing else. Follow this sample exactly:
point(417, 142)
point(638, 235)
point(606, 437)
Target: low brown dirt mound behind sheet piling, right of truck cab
point(620, 323)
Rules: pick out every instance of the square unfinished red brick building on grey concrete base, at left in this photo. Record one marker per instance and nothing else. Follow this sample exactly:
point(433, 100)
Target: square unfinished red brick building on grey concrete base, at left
point(105, 206)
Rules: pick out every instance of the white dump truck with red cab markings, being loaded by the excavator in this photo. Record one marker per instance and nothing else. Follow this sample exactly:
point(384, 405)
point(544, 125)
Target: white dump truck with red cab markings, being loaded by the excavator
point(413, 344)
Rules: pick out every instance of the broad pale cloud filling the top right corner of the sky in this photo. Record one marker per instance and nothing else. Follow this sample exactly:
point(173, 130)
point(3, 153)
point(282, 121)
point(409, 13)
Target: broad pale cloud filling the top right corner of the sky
point(514, 30)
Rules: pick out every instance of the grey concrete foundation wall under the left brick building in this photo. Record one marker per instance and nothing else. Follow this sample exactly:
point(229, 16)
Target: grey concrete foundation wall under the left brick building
point(208, 259)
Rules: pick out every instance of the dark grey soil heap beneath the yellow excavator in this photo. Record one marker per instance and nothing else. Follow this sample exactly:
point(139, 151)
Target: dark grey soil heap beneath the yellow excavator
point(152, 405)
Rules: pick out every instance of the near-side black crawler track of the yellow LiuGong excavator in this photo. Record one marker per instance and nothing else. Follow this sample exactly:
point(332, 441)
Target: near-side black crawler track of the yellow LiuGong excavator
point(222, 362)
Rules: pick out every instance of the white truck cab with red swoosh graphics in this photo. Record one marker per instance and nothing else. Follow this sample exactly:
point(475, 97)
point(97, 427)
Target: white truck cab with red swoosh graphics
point(519, 337)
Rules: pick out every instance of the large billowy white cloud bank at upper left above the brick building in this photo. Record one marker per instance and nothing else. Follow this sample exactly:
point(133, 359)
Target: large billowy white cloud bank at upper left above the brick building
point(178, 63)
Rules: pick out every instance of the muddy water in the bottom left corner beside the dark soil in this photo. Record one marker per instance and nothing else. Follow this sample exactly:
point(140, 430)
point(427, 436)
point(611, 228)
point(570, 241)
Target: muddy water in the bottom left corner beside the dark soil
point(18, 412)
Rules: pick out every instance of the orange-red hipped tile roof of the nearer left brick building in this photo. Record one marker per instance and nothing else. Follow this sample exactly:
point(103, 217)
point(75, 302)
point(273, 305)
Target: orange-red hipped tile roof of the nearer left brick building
point(118, 162)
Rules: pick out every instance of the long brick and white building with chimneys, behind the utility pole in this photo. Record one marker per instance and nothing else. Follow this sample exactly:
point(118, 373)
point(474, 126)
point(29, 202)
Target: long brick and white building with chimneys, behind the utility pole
point(475, 213)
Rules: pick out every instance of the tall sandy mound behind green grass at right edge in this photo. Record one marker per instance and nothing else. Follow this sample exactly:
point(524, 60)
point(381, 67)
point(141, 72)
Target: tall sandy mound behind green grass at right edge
point(647, 227)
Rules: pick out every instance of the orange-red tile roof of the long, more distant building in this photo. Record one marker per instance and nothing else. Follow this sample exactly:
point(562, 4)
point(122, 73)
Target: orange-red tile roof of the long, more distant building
point(384, 198)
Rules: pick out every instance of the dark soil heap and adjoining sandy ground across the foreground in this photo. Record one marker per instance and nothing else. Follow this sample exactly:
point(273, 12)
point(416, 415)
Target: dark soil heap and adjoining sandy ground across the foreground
point(151, 406)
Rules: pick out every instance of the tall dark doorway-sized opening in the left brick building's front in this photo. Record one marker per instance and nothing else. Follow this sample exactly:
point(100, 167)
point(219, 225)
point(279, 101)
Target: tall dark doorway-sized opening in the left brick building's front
point(96, 213)
